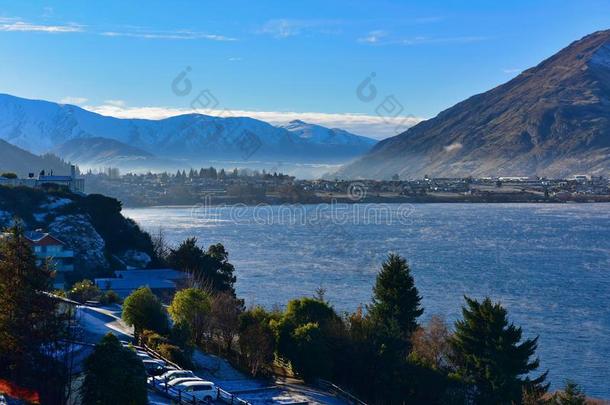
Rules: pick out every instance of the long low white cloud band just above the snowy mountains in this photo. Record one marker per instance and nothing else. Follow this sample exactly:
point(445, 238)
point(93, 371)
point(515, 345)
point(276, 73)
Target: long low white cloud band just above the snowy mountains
point(362, 124)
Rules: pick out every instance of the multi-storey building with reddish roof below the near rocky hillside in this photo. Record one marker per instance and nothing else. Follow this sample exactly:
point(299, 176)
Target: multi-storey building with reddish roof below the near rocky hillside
point(47, 247)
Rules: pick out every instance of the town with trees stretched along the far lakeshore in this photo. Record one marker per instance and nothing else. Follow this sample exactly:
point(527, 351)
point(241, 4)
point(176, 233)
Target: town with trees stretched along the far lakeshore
point(218, 187)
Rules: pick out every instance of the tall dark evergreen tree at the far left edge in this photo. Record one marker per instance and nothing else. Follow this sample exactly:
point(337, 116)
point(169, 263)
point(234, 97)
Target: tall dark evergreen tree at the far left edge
point(31, 326)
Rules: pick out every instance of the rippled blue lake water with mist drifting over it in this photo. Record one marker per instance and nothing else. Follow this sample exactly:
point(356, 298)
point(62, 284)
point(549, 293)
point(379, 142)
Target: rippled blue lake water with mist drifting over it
point(549, 264)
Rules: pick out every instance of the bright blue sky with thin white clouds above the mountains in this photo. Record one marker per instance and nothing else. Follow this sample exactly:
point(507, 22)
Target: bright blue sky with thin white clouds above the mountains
point(279, 60)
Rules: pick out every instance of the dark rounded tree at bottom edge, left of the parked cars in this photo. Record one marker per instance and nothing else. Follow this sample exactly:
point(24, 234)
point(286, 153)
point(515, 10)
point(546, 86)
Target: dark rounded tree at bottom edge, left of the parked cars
point(114, 375)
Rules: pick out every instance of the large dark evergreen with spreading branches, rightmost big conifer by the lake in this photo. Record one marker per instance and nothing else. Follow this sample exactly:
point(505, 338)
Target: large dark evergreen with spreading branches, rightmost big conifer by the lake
point(489, 356)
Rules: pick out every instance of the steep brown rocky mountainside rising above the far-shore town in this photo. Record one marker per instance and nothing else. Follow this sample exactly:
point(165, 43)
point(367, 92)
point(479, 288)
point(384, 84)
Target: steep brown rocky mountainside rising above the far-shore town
point(552, 120)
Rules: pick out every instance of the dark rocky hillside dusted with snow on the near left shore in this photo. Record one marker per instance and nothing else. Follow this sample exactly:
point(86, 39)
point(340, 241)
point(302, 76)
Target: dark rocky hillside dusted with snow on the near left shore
point(92, 226)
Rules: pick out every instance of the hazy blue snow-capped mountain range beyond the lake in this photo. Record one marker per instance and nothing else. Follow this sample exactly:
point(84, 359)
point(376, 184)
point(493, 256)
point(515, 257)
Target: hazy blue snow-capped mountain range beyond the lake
point(41, 126)
